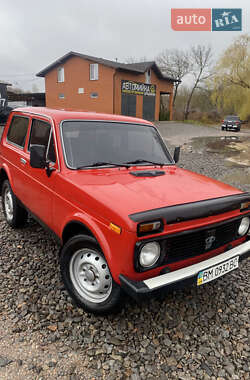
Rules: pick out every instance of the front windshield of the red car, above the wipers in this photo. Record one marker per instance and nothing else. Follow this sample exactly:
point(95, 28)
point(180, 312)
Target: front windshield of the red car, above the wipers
point(100, 143)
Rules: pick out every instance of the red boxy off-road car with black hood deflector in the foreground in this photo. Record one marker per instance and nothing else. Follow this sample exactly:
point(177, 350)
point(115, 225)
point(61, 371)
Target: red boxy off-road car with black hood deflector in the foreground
point(127, 218)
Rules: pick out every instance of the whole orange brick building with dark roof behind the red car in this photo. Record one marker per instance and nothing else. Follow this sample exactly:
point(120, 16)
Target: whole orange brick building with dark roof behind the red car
point(78, 81)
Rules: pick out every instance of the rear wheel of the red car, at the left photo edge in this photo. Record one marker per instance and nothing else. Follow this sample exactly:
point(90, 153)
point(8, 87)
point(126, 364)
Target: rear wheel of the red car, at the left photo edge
point(15, 215)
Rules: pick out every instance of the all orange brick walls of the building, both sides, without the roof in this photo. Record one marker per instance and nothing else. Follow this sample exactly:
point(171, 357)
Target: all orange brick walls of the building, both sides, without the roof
point(108, 87)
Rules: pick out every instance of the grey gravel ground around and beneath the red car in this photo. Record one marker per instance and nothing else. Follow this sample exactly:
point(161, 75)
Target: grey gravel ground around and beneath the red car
point(197, 333)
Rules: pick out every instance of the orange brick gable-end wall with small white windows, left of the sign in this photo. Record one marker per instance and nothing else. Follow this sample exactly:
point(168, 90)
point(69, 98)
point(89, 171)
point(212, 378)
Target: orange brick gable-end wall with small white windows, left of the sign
point(76, 75)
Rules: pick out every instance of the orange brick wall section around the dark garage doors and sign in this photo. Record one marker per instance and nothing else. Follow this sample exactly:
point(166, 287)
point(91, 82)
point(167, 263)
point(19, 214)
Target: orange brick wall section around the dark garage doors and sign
point(161, 86)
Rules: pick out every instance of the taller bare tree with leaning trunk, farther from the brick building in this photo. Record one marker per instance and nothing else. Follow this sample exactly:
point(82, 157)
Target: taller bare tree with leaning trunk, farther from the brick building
point(200, 59)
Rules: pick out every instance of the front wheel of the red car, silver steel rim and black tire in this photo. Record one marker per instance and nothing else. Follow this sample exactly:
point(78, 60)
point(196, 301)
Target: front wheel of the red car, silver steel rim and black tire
point(87, 278)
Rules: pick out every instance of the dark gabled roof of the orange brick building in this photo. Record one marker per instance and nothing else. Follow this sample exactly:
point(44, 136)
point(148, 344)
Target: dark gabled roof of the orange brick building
point(139, 67)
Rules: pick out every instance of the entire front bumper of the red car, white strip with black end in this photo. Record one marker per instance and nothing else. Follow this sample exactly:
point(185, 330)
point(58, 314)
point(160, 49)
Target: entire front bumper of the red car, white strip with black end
point(179, 278)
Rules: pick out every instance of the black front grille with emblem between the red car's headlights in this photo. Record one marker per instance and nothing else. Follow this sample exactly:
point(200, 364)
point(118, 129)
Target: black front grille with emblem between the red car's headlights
point(192, 244)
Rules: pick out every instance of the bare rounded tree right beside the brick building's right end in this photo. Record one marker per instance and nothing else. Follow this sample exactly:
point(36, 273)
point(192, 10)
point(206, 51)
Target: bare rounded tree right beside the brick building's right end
point(175, 64)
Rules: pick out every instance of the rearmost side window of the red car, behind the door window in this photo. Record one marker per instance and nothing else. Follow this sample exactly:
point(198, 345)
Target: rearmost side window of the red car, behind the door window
point(18, 130)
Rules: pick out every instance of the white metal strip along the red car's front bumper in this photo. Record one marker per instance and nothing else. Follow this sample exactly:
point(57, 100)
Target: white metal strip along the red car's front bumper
point(192, 270)
